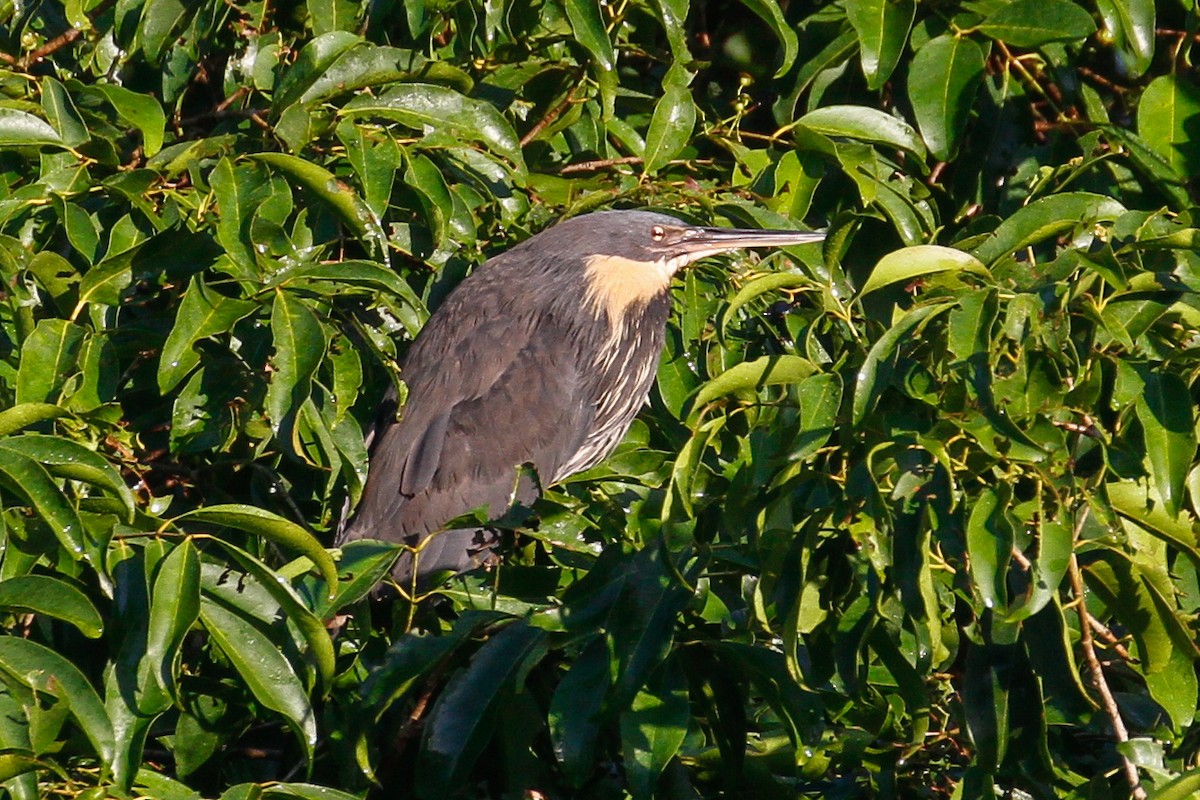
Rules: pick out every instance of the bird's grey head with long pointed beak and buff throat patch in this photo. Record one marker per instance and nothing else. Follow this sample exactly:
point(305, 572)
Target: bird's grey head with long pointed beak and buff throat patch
point(629, 257)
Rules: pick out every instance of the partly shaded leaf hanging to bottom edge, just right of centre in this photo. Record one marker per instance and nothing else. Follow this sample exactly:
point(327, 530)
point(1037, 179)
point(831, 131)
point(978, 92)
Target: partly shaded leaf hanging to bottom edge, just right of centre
point(653, 730)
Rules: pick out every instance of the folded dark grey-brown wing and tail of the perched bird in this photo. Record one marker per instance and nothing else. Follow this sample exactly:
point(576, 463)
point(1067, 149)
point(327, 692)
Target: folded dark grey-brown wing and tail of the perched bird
point(479, 407)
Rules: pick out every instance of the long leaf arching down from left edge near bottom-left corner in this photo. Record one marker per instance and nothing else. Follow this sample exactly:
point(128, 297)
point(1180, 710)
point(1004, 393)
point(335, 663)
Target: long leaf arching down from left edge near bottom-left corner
point(44, 670)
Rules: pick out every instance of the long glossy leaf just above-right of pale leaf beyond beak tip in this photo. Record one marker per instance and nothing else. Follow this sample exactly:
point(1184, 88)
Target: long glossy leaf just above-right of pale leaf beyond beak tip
point(1045, 219)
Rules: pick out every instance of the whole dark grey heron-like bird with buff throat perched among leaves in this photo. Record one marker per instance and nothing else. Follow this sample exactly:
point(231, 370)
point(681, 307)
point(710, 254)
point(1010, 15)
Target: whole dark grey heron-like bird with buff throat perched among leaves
point(541, 359)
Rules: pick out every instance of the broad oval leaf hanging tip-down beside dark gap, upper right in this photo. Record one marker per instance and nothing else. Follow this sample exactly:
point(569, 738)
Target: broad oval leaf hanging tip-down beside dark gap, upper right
point(944, 82)
